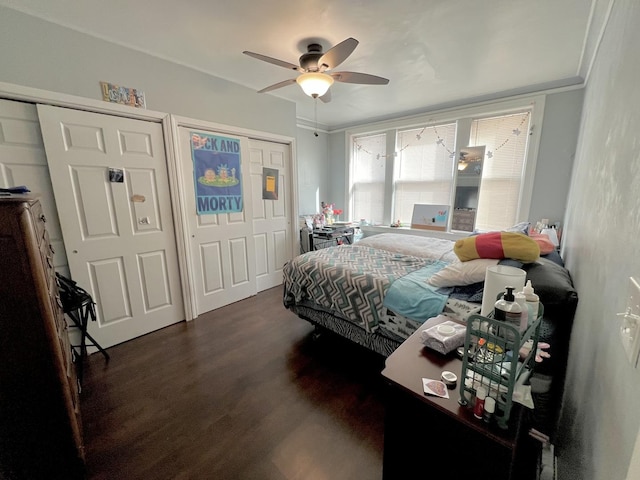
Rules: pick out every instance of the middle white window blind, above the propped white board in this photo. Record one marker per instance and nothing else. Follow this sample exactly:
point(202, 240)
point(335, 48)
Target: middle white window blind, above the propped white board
point(423, 170)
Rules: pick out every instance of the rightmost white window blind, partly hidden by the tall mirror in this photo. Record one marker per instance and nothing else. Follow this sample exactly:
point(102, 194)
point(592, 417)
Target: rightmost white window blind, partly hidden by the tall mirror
point(503, 168)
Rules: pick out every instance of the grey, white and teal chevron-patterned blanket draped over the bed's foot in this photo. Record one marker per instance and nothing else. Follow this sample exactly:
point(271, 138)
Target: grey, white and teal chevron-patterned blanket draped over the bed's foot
point(348, 280)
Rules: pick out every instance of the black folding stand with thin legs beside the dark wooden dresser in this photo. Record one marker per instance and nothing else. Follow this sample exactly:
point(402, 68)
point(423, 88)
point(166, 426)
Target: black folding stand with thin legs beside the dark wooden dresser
point(79, 306)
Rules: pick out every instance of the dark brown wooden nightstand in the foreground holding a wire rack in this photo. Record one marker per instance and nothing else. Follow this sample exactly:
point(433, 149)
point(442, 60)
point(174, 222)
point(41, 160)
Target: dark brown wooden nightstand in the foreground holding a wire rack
point(438, 436)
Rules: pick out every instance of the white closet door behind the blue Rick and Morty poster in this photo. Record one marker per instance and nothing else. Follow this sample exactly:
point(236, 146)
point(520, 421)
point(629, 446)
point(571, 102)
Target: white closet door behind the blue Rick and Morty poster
point(221, 245)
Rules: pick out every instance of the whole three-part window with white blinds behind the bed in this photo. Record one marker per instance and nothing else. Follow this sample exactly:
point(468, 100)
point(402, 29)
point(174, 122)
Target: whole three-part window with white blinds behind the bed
point(422, 165)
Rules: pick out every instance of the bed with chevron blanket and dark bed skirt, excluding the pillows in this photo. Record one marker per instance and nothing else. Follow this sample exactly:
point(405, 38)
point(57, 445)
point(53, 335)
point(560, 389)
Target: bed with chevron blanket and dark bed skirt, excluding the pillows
point(343, 288)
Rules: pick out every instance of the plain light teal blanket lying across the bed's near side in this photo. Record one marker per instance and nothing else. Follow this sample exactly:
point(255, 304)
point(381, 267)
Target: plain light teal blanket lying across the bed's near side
point(412, 297)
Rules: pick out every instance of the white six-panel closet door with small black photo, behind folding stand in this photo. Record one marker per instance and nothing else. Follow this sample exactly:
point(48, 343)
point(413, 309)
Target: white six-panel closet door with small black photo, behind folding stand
point(109, 177)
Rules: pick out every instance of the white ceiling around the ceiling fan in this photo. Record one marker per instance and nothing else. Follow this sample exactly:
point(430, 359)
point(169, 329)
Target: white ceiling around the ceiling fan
point(435, 53)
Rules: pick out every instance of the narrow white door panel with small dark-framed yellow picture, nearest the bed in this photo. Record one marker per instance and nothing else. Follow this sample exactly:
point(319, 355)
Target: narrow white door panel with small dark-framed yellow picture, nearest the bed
point(271, 216)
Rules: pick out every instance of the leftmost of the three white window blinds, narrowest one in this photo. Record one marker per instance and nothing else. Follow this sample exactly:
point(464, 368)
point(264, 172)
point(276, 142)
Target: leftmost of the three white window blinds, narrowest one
point(368, 178)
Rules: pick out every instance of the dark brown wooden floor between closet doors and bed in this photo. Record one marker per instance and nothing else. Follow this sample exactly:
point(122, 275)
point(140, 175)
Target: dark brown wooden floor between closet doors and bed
point(244, 392)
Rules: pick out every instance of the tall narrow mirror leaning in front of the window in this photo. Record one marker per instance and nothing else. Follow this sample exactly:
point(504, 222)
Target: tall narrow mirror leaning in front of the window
point(468, 178)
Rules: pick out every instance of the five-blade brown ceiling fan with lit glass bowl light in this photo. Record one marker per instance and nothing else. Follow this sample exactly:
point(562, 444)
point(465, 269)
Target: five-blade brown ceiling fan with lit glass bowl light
point(315, 68)
